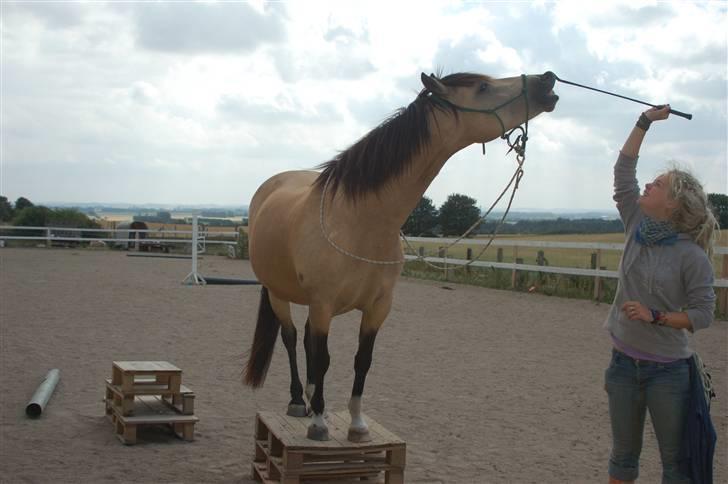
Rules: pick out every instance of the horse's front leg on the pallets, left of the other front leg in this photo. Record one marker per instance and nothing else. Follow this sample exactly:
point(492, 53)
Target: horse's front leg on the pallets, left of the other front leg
point(320, 320)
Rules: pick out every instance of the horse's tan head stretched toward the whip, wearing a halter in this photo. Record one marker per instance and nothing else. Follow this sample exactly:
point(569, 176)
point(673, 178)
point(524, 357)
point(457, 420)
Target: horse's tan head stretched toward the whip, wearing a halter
point(489, 107)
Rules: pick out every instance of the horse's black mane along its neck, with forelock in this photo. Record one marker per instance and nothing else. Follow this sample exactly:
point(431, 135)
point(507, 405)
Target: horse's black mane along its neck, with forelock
point(387, 151)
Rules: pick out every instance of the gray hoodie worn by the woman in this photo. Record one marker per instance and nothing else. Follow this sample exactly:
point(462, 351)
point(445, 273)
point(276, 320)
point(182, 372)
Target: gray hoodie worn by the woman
point(670, 278)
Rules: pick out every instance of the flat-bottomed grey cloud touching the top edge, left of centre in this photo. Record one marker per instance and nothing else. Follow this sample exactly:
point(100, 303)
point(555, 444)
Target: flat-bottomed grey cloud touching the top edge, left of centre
point(206, 28)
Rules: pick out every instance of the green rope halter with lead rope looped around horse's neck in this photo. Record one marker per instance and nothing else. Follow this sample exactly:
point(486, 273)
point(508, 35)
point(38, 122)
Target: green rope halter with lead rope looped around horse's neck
point(518, 145)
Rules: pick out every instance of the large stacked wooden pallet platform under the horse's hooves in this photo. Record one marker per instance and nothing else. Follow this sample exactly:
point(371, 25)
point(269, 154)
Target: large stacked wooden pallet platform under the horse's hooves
point(283, 454)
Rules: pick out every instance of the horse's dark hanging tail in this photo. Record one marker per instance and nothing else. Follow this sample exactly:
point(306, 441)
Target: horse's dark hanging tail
point(261, 351)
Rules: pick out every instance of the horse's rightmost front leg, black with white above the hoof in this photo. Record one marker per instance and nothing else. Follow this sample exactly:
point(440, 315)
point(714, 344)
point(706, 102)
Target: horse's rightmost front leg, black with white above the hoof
point(372, 320)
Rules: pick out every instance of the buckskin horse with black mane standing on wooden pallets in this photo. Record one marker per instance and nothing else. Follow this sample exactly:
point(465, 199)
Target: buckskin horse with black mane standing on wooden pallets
point(330, 239)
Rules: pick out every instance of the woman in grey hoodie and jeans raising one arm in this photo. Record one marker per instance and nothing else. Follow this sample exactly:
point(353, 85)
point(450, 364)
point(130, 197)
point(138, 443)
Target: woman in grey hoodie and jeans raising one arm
point(665, 290)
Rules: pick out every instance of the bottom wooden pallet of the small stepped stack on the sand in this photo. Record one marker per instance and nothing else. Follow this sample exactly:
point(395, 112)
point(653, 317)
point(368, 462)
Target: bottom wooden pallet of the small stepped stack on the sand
point(151, 410)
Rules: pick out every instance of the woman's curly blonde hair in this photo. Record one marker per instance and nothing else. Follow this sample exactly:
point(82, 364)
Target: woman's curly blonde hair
point(694, 215)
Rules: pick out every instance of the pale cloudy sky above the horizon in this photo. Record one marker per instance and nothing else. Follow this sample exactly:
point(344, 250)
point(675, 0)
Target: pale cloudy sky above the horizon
point(199, 103)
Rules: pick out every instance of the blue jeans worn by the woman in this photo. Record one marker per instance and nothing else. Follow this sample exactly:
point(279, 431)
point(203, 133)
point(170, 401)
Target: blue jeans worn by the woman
point(633, 387)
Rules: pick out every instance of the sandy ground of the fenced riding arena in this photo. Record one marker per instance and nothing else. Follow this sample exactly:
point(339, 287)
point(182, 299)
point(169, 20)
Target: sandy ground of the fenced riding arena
point(483, 385)
